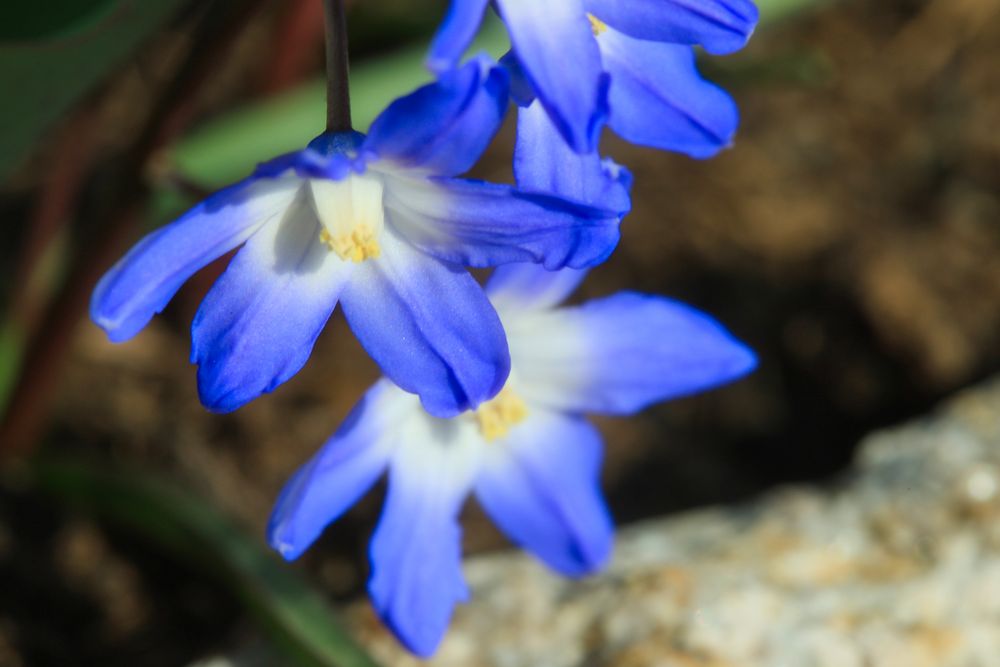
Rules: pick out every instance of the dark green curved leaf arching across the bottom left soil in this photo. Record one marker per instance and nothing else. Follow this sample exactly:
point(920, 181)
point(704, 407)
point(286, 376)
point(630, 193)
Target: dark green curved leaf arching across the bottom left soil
point(299, 620)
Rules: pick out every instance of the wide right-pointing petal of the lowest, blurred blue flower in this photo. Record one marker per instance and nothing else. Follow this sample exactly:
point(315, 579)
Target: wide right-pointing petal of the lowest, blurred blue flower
point(619, 354)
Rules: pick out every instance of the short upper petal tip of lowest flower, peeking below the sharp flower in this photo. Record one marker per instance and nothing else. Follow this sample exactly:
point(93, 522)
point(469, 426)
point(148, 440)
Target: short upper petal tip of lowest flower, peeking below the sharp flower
point(522, 286)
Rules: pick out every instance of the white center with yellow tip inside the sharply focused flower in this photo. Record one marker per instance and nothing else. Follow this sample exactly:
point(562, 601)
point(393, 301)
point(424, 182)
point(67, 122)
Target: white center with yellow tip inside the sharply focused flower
point(351, 215)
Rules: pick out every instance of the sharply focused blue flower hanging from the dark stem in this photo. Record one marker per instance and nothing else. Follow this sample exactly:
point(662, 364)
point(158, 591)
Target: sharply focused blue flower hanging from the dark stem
point(378, 223)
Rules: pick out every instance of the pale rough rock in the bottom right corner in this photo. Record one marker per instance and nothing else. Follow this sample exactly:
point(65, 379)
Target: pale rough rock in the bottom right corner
point(895, 565)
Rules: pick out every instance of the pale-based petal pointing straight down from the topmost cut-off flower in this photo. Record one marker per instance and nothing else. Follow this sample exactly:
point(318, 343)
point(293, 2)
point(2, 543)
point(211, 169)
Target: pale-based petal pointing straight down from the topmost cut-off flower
point(554, 44)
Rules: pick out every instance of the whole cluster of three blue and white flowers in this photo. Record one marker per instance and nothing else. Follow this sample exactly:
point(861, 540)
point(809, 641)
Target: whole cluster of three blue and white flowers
point(484, 388)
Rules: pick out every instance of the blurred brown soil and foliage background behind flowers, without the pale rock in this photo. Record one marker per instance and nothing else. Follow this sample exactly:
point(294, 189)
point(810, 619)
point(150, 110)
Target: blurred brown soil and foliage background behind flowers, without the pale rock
point(850, 236)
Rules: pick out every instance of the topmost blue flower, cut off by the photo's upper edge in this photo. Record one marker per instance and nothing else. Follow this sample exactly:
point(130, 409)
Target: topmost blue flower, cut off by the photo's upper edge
point(627, 63)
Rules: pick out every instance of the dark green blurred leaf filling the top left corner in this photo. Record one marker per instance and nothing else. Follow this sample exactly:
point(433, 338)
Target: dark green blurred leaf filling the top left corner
point(63, 49)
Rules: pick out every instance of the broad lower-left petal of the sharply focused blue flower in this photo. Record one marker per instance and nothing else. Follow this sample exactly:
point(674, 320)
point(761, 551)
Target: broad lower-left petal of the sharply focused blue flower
point(258, 323)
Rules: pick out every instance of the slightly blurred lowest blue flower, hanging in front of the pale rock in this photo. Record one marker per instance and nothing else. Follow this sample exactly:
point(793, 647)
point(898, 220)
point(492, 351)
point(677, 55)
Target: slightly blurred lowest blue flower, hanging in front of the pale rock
point(527, 455)
